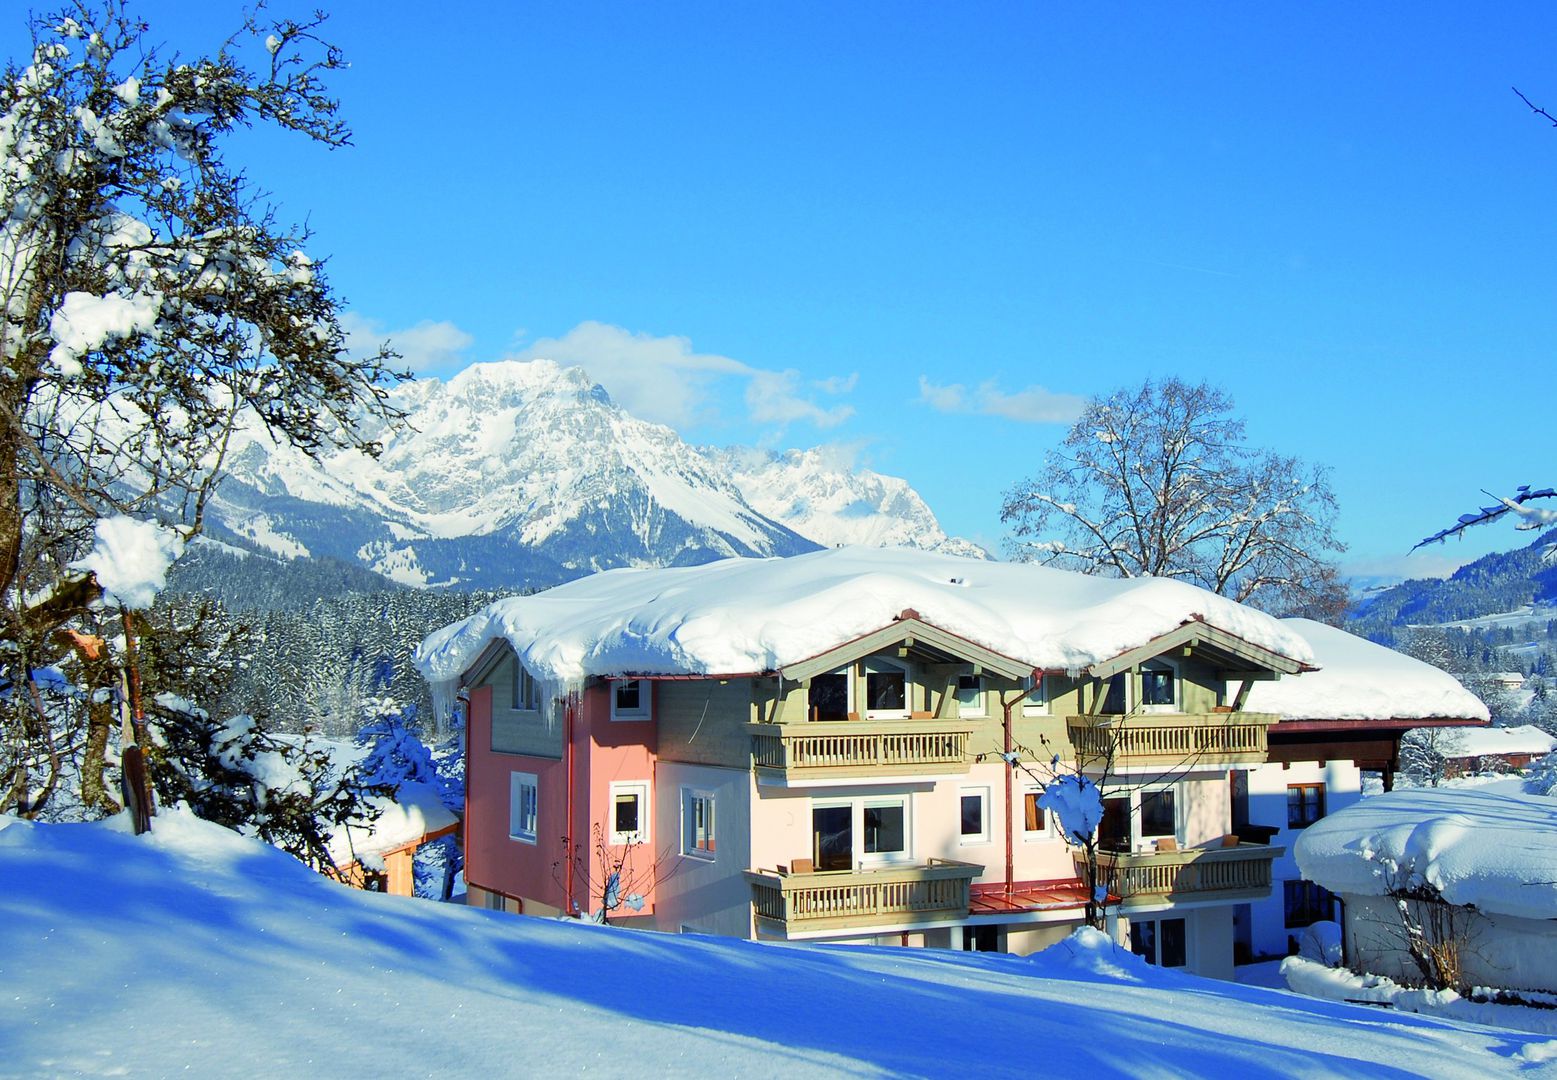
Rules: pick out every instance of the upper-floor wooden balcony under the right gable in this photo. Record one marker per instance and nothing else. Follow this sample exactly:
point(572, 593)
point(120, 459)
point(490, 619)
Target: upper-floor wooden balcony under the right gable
point(1170, 740)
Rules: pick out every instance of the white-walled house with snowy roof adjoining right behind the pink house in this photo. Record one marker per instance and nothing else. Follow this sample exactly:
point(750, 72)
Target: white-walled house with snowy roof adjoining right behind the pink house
point(1338, 723)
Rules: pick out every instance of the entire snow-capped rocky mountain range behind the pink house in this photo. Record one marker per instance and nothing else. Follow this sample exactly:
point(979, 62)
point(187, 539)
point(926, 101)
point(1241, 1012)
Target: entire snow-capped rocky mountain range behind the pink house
point(521, 472)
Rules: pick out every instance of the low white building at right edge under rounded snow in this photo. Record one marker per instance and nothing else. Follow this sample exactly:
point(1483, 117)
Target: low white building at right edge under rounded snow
point(1475, 869)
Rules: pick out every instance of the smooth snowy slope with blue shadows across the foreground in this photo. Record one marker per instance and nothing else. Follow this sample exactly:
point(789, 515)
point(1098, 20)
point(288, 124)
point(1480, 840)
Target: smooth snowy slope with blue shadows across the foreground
point(197, 953)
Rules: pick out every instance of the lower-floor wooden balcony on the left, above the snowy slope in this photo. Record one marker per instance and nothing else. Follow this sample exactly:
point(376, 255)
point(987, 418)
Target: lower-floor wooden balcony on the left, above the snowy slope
point(935, 892)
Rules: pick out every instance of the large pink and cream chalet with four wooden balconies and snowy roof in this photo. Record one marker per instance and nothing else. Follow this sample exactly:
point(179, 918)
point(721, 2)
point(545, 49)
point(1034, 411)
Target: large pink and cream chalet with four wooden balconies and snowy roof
point(849, 746)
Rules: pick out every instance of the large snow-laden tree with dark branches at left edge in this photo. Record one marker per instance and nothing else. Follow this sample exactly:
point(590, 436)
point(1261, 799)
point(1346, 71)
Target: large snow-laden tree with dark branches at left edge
point(150, 303)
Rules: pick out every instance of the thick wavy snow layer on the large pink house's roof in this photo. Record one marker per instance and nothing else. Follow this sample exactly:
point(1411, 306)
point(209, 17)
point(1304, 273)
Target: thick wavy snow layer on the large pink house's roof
point(747, 615)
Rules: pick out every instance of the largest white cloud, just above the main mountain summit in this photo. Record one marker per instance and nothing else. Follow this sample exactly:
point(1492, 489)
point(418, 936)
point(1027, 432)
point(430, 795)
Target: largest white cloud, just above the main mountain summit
point(664, 380)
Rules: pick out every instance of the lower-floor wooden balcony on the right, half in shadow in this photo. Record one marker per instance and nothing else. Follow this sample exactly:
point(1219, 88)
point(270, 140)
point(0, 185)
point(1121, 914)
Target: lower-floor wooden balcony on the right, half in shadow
point(1192, 875)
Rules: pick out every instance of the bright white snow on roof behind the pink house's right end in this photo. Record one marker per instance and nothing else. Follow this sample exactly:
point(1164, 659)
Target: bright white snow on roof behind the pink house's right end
point(1360, 681)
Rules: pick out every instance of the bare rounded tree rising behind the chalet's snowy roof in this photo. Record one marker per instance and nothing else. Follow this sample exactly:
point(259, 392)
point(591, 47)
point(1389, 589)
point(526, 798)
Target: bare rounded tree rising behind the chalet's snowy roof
point(1161, 482)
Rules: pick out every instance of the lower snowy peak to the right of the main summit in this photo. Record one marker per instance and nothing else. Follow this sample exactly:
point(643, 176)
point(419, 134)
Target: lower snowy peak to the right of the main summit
point(826, 500)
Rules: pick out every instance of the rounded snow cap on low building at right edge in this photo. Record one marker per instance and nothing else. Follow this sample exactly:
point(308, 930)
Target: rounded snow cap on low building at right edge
point(1494, 850)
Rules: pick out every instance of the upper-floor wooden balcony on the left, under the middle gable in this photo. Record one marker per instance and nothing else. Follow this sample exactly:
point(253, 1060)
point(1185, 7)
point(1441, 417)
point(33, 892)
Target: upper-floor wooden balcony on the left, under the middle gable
point(860, 749)
